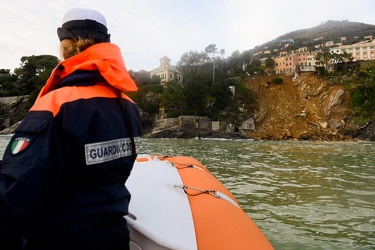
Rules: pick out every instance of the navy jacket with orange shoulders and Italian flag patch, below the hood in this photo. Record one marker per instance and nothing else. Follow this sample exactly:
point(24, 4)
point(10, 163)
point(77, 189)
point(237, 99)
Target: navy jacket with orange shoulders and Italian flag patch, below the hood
point(71, 155)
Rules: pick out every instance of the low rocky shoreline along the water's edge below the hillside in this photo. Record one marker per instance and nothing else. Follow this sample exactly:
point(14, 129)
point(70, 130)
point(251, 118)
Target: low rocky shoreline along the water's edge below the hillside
point(13, 113)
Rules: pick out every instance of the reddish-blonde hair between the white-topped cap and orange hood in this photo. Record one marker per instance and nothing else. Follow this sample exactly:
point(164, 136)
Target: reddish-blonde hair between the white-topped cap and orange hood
point(70, 47)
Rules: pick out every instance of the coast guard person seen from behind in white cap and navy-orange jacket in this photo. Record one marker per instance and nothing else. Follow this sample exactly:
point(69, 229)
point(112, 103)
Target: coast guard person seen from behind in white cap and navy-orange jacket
point(63, 174)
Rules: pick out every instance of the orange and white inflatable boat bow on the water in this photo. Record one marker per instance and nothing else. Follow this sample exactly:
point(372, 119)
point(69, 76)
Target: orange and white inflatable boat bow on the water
point(178, 204)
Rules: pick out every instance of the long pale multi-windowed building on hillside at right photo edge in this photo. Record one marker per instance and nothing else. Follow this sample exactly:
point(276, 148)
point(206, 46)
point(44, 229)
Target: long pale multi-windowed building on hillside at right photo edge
point(362, 51)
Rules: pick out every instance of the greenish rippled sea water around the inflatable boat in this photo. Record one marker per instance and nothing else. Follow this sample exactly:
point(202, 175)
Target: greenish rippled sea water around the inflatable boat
point(302, 195)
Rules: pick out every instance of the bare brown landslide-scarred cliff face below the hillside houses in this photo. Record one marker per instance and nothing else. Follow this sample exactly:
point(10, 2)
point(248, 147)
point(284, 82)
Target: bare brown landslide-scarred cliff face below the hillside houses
point(307, 108)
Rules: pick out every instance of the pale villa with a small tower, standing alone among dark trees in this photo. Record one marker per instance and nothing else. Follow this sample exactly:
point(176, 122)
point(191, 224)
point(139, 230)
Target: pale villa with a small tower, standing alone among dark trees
point(167, 72)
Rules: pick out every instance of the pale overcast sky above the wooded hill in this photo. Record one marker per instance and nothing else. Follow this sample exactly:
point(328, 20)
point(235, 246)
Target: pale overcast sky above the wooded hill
point(147, 30)
